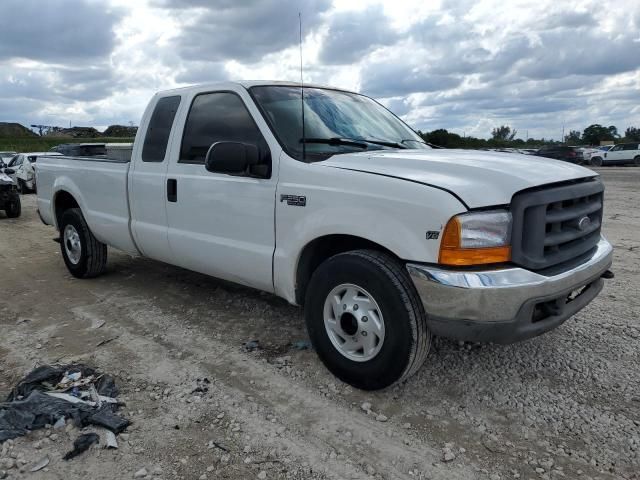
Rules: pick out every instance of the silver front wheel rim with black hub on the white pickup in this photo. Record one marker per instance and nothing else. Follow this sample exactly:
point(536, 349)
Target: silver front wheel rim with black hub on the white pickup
point(354, 322)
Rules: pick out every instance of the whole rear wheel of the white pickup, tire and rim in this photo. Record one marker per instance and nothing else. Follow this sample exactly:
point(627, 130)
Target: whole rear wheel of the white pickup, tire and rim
point(83, 254)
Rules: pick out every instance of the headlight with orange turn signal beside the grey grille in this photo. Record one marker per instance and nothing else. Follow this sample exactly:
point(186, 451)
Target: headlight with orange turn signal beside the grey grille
point(477, 238)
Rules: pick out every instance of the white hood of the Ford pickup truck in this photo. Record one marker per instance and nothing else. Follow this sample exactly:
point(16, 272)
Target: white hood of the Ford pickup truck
point(476, 177)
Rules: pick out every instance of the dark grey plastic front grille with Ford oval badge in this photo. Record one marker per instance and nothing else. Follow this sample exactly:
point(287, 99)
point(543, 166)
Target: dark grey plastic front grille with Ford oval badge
point(556, 224)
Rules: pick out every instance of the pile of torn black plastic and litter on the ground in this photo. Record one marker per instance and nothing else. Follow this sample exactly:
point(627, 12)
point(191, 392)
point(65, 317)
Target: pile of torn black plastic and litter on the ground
point(49, 393)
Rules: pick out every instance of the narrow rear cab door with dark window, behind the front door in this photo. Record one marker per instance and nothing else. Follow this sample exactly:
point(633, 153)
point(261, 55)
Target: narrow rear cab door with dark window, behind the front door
point(147, 179)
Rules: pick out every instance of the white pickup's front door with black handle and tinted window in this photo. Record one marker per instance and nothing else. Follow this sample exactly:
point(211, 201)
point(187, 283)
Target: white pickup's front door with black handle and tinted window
point(221, 224)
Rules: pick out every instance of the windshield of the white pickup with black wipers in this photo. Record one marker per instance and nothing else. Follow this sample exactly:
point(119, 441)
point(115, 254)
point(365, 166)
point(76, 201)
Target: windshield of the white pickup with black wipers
point(335, 122)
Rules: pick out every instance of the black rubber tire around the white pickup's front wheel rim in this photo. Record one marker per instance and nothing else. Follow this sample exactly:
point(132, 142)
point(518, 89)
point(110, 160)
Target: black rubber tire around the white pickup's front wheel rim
point(407, 338)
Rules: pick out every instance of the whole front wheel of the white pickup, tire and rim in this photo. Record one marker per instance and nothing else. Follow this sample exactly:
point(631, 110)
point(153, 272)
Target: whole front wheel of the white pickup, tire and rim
point(365, 319)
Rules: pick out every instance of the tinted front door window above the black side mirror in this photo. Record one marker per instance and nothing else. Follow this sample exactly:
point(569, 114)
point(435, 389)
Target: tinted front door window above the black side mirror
point(216, 117)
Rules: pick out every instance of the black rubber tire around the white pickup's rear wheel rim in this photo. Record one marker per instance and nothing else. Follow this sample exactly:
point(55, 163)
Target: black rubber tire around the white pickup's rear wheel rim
point(93, 255)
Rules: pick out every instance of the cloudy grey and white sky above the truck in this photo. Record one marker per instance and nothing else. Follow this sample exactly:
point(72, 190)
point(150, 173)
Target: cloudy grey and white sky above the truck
point(467, 66)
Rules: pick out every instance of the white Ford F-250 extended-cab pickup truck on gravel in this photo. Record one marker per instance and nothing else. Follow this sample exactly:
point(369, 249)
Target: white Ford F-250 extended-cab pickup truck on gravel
point(383, 240)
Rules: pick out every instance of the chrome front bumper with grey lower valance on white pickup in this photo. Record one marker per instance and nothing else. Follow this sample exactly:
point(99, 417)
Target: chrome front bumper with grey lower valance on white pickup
point(509, 304)
